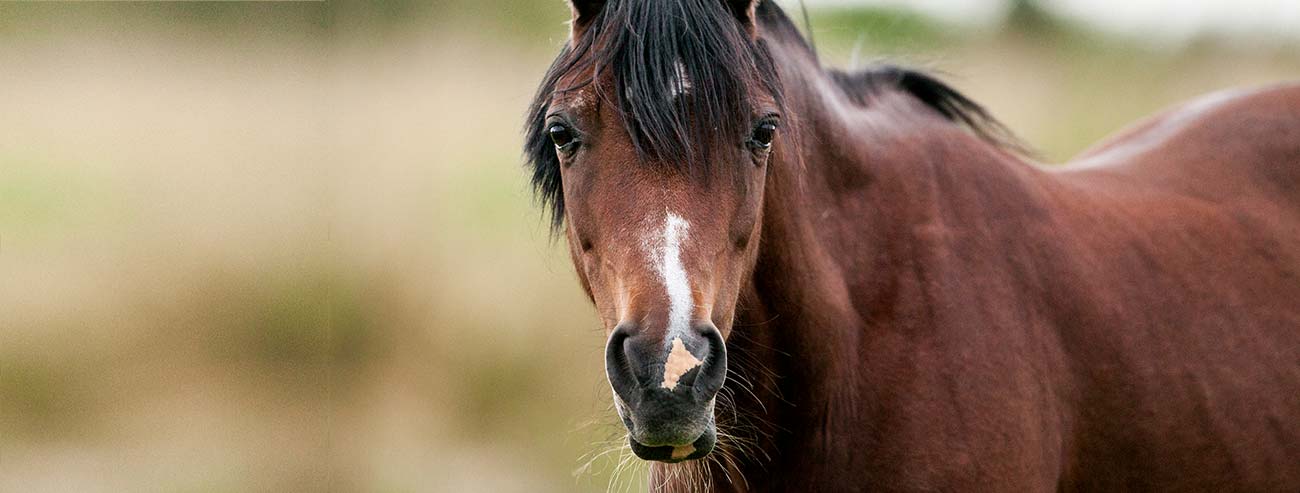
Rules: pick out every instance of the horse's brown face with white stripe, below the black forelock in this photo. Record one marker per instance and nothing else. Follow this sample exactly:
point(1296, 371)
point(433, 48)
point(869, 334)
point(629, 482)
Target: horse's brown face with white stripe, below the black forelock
point(662, 250)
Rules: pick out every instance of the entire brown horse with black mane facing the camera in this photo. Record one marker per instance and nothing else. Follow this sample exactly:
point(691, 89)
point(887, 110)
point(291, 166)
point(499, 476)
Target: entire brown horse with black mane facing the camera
point(895, 300)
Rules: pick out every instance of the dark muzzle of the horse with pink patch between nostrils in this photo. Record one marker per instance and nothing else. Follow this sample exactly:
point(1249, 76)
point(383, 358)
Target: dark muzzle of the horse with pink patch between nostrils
point(665, 393)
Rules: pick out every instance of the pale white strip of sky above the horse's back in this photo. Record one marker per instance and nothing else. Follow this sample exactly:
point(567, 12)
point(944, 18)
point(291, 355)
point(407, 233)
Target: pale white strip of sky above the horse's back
point(1160, 21)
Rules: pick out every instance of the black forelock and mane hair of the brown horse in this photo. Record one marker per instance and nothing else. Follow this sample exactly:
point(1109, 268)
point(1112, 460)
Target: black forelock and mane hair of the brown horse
point(647, 46)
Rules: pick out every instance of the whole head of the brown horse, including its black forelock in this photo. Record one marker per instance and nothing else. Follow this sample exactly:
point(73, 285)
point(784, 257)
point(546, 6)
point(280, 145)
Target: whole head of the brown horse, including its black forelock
point(662, 222)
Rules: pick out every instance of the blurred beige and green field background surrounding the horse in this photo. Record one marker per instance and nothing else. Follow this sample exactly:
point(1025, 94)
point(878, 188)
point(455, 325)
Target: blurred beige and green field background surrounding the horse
point(291, 246)
